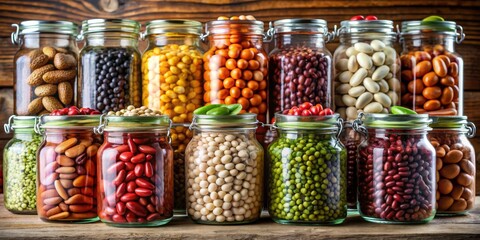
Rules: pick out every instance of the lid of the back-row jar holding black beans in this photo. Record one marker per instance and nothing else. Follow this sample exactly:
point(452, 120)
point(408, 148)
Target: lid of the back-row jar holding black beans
point(110, 25)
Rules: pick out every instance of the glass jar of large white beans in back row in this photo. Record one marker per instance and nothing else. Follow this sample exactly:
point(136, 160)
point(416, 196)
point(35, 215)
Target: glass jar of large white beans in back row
point(367, 68)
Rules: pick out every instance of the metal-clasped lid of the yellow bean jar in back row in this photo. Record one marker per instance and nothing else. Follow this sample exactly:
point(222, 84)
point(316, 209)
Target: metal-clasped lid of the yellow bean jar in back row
point(174, 26)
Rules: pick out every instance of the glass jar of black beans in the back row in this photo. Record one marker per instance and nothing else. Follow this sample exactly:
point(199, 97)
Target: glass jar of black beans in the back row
point(109, 67)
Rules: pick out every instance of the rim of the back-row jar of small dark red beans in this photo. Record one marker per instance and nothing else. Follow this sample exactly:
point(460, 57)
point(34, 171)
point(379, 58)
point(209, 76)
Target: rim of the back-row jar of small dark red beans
point(300, 25)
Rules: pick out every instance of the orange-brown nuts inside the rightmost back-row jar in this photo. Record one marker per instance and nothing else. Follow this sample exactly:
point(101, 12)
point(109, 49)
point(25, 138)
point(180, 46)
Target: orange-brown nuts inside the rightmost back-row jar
point(431, 81)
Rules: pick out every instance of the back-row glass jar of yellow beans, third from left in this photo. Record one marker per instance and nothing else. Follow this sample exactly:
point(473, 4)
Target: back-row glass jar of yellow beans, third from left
point(172, 83)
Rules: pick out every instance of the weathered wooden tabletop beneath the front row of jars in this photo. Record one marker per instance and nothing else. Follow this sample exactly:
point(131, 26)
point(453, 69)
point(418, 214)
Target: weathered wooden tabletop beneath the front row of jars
point(30, 226)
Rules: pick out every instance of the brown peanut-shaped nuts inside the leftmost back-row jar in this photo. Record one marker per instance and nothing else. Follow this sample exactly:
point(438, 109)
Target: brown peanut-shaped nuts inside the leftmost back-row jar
point(52, 78)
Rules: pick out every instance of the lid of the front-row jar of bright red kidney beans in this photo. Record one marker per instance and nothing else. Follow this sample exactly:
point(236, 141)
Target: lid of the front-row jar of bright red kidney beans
point(133, 123)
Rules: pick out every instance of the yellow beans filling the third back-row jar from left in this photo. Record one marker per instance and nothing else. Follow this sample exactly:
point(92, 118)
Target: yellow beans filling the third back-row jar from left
point(172, 81)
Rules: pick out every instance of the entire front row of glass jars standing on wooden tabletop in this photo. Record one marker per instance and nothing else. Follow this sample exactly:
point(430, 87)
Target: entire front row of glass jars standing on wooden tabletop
point(125, 177)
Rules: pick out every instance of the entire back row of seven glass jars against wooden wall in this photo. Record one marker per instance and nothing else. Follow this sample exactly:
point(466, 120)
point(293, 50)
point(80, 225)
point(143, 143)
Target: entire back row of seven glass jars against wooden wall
point(175, 77)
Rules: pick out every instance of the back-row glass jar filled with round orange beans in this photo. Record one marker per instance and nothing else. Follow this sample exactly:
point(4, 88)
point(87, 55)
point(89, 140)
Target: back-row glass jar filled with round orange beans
point(236, 67)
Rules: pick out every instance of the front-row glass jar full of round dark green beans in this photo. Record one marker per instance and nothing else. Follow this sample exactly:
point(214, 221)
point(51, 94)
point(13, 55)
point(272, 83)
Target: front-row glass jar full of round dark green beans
point(307, 181)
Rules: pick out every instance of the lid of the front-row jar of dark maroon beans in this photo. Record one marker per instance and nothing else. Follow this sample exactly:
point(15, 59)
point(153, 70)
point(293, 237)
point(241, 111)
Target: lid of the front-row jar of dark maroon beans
point(393, 121)
